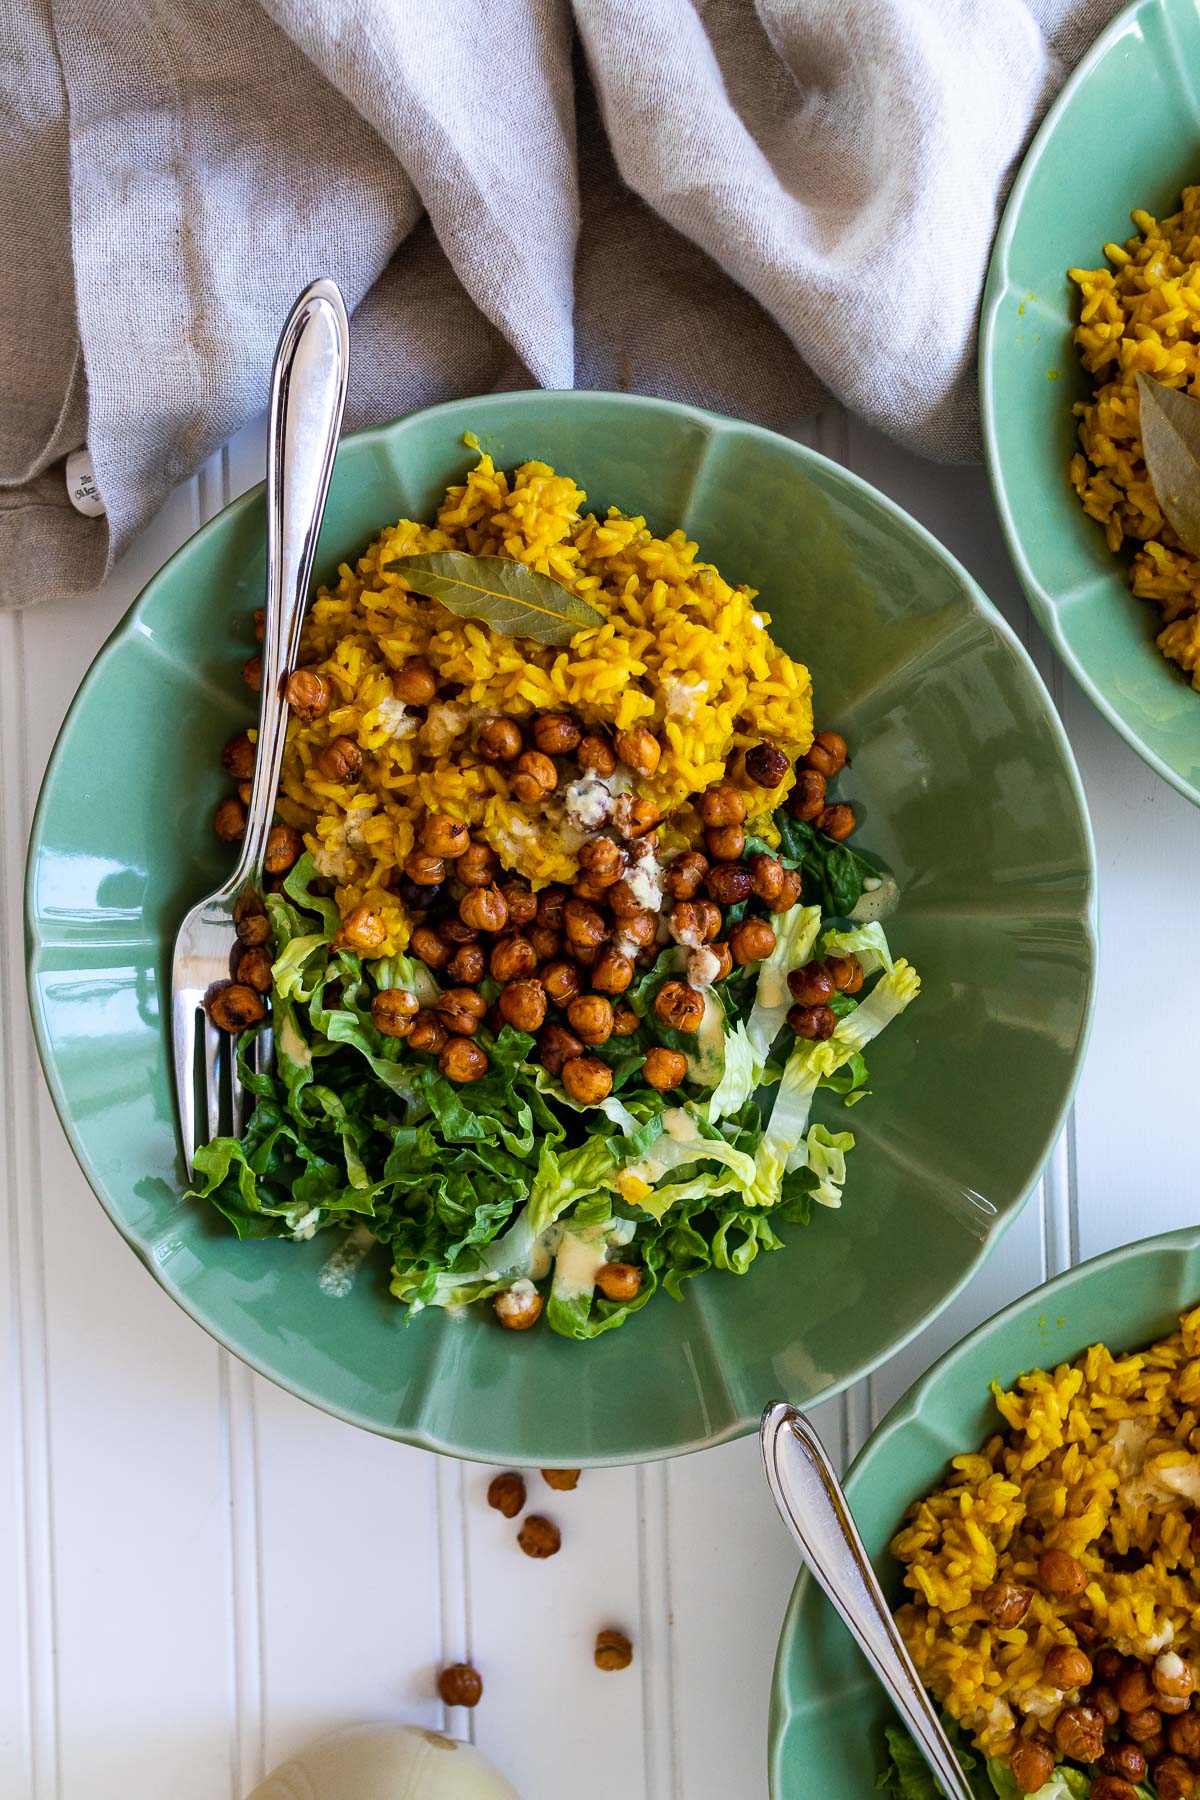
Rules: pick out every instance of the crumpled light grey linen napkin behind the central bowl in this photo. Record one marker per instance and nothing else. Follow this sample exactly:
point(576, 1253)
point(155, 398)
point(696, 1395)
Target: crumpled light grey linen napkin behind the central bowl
point(744, 204)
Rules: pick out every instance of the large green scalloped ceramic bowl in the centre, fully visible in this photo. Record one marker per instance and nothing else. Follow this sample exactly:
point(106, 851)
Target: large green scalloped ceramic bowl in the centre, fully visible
point(965, 784)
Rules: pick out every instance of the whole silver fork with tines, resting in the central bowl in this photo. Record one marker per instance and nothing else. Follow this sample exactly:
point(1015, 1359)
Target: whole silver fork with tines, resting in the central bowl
point(307, 404)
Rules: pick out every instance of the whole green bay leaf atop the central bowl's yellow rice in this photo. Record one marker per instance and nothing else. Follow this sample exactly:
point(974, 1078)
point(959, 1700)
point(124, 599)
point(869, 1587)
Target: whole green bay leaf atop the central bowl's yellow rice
point(506, 595)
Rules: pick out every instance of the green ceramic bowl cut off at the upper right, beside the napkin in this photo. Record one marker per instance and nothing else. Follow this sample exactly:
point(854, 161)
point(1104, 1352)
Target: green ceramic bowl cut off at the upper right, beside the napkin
point(1122, 136)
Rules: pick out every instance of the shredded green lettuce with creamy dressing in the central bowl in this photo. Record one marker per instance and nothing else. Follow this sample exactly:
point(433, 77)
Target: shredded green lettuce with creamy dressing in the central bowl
point(508, 1180)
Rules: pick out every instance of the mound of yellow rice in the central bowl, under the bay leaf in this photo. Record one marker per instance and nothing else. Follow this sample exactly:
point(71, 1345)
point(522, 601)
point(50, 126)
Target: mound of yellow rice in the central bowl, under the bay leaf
point(681, 651)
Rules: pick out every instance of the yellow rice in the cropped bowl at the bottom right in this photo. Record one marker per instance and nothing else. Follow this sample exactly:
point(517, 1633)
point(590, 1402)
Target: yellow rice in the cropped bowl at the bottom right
point(1102, 1461)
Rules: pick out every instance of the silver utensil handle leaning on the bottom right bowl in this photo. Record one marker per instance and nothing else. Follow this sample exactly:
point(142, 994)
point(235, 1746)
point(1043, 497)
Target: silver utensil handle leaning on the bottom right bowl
point(814, 1507)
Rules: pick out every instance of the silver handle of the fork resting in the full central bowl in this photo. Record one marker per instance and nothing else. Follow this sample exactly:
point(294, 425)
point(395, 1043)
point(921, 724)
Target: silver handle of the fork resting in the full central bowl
point(307, 404)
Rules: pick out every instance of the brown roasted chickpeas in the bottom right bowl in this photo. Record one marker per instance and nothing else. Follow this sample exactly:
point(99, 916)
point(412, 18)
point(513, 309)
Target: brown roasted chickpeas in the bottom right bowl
point(1131, 1718)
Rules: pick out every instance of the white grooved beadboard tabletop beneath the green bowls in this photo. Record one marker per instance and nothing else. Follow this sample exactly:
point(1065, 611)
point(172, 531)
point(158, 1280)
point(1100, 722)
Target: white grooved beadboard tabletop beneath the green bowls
point(201, 1572)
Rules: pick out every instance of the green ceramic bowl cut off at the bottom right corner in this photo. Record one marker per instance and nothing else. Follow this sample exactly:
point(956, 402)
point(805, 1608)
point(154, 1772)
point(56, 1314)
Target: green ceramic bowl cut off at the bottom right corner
point(1127, 1299)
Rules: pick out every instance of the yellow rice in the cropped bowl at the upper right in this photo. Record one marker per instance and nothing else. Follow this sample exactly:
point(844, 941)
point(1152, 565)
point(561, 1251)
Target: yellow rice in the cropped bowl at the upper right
point(1142, 314)
